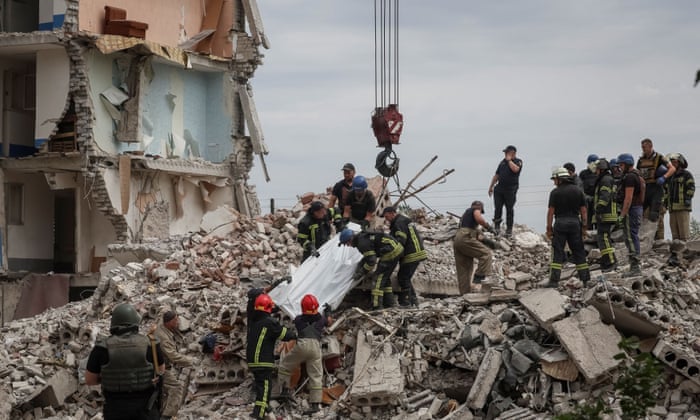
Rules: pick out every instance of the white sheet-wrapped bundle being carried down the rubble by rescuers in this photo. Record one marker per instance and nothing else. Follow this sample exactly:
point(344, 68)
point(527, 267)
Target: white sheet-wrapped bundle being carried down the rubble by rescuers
point(328, 277)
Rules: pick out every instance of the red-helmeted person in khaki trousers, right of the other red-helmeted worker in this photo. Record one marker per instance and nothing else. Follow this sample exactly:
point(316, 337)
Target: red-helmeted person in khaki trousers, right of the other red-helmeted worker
point(309, 326)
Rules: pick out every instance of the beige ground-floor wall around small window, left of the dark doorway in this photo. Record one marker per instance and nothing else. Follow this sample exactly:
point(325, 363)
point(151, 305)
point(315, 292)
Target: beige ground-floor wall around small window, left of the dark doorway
point(32, 240)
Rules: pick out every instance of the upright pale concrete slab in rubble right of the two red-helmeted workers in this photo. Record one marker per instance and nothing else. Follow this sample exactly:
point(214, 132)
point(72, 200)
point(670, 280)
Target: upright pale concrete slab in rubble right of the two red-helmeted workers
point(378, 379)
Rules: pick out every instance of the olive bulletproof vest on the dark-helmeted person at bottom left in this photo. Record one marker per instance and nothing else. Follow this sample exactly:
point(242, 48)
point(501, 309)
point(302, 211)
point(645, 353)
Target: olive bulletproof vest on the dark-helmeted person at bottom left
point(127, 369)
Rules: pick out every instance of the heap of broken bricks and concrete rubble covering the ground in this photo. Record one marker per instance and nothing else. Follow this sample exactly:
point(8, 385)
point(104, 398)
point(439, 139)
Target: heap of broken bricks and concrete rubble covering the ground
point(512, 351)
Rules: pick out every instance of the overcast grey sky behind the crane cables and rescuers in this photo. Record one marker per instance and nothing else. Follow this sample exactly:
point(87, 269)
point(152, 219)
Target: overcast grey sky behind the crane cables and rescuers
point(558, 79)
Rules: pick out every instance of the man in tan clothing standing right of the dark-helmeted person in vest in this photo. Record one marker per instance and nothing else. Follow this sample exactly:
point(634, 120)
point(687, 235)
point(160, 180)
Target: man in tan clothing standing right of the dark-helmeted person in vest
point(168, 333)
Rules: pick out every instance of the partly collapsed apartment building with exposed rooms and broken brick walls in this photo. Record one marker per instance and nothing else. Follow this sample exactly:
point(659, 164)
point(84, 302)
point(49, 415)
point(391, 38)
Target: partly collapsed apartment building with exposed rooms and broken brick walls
point(123, 121)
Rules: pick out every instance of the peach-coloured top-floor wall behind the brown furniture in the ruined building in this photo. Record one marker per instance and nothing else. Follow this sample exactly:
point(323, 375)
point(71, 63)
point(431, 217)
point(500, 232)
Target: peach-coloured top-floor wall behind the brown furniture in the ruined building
point(169, 21)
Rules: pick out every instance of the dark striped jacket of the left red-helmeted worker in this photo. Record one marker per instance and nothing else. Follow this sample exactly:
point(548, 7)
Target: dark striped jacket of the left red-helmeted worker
point(263, 332)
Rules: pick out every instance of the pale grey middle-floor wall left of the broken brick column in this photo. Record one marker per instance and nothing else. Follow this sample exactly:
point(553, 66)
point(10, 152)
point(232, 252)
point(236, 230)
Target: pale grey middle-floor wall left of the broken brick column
point(52, 81)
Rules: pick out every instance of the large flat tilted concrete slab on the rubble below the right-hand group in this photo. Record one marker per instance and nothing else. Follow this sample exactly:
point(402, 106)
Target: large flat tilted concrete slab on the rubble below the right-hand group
point(591, 344)
